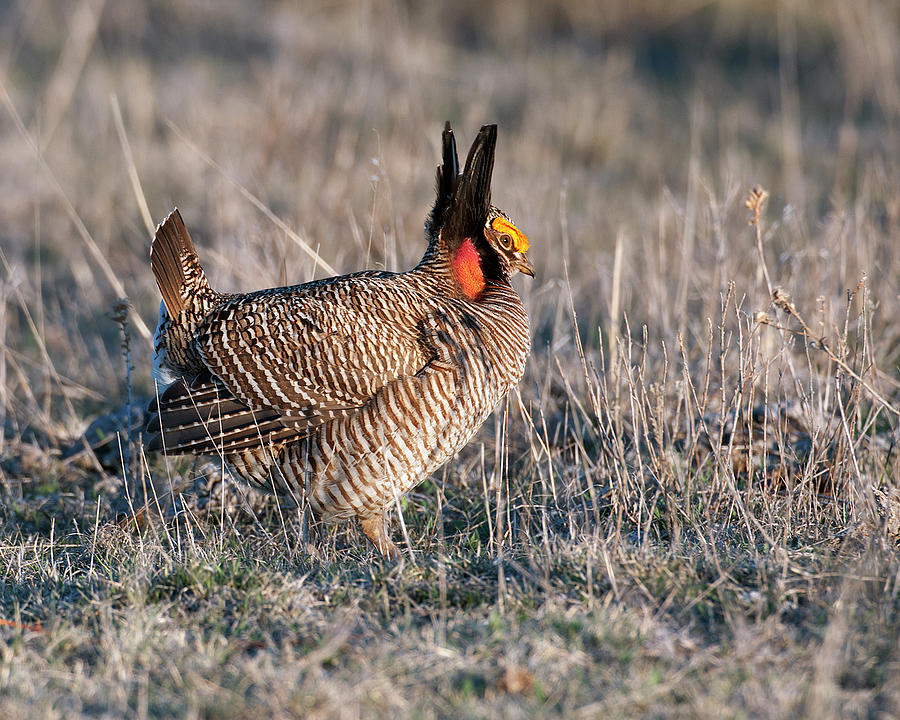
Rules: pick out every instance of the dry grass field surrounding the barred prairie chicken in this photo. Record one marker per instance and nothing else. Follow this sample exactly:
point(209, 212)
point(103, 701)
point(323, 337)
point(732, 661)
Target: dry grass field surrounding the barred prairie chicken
point(690, 508)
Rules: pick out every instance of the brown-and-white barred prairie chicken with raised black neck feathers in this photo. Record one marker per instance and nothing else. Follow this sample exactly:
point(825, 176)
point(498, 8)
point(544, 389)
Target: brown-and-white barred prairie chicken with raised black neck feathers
point(347, 392)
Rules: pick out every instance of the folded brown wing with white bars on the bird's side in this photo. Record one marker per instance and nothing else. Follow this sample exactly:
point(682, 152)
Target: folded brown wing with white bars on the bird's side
point(284, 361)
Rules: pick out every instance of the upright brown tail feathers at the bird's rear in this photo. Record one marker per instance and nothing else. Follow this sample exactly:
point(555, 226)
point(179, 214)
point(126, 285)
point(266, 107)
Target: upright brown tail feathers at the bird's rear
point(176, 266)
